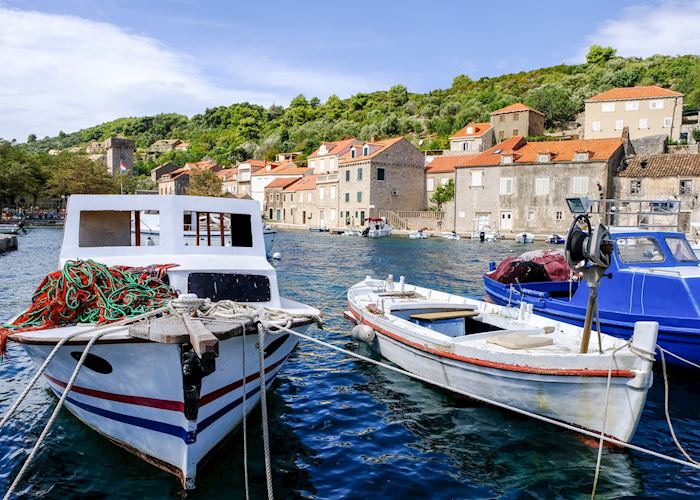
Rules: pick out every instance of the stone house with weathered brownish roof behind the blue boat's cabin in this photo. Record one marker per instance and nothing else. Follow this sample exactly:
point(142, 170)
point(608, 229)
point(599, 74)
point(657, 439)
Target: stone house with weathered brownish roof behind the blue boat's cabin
point(664, 177)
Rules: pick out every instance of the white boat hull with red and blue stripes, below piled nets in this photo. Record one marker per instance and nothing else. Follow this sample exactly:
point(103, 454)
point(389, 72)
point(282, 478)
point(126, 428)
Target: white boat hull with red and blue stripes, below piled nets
point(143, 411)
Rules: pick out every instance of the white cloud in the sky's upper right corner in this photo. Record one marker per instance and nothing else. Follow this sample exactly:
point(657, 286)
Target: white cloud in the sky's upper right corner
point(668, 27)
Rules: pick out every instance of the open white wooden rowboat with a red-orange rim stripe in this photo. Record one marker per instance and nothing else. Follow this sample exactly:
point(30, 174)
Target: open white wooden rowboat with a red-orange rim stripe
point(507, 355)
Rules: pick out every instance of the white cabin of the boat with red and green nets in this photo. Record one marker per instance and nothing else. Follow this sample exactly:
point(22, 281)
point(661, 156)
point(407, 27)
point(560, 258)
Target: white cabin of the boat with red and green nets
point(220, 265)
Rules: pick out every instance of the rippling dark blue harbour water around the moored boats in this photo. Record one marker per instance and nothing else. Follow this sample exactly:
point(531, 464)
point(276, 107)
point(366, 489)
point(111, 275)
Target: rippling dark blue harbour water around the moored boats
point(340, 428)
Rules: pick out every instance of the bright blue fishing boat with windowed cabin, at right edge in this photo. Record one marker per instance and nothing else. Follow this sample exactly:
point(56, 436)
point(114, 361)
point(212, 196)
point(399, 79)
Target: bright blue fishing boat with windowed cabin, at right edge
point(654, 275)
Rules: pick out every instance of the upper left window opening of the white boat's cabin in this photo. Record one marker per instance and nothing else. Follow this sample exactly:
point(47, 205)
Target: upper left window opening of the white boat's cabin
point(118, 228)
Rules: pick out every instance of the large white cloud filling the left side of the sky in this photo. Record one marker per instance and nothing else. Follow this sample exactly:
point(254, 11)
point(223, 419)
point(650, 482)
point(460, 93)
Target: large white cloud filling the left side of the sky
point(62, 72)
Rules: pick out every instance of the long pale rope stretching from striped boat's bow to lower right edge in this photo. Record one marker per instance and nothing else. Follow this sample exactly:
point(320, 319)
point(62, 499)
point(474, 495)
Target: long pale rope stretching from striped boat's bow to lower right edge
point(274, 328)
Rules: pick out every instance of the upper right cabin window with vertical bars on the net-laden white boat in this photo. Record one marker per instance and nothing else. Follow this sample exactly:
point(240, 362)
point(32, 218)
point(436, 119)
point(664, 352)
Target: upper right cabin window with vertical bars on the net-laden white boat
point(215, 229)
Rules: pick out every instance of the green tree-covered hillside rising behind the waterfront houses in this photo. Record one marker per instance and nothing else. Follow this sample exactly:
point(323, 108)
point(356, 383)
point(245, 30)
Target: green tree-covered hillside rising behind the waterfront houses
point(243, 130)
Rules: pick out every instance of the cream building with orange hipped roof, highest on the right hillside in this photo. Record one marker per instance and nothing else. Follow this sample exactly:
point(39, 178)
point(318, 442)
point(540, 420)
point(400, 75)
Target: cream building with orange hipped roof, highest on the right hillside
point(645, 110)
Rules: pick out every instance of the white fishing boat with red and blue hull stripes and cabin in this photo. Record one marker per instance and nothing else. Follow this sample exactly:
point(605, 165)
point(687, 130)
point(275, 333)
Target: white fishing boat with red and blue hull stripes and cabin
point(154, 388)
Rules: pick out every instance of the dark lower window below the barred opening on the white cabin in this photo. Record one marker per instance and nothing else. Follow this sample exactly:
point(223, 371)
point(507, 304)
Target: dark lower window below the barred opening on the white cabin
point(224, 286)
